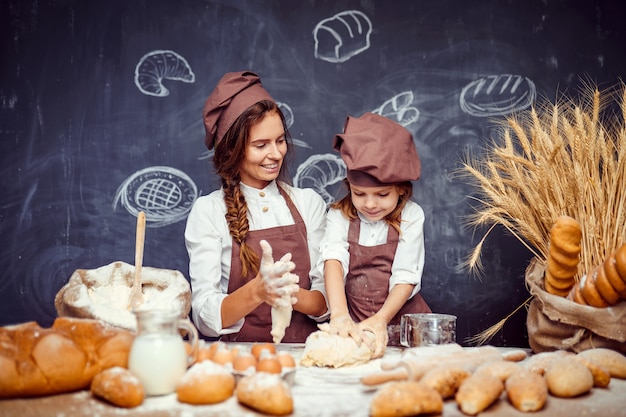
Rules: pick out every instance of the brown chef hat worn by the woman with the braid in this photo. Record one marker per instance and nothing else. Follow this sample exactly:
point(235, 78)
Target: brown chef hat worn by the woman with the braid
point(234, 93)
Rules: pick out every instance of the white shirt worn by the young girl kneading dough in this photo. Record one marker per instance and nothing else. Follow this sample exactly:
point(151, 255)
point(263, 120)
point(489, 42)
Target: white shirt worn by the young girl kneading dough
point(408, 264)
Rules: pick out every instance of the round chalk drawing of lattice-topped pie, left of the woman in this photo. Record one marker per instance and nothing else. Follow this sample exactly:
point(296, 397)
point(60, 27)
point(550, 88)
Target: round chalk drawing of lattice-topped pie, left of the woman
point(164, 193)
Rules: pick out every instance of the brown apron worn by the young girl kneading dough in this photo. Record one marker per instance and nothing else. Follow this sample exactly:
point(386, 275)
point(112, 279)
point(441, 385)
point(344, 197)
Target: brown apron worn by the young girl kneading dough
point(367, 282)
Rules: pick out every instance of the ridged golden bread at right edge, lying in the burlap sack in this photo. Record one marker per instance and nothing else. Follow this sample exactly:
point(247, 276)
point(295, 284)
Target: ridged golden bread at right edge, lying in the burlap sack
point(605, 285)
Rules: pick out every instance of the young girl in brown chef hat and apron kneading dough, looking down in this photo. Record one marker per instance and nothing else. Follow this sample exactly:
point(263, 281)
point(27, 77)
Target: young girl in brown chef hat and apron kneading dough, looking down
point(373, 247)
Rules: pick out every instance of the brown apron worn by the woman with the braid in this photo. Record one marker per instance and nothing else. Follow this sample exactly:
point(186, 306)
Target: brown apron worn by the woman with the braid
point(283, 239)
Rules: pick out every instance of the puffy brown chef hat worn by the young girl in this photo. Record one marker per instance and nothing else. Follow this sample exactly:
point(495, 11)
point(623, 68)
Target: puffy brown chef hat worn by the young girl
point(377, 151)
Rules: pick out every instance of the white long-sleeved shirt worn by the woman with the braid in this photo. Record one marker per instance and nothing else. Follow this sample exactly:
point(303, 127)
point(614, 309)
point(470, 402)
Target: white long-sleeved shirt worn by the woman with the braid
point(209, 245)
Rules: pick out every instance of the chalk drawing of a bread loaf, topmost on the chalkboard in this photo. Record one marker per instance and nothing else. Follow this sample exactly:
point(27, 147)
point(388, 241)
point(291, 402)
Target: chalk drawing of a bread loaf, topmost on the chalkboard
point(342, 36)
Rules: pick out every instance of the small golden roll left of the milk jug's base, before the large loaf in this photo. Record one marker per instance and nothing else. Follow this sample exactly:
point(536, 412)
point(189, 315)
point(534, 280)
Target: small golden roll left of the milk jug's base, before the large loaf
point(118, 386)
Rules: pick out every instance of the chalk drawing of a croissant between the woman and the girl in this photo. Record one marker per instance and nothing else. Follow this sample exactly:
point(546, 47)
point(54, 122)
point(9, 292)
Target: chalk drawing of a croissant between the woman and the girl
point(319, 172)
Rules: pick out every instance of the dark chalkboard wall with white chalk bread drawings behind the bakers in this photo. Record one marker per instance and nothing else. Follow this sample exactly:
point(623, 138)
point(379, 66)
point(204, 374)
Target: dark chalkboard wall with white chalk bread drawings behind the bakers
point(100, 116)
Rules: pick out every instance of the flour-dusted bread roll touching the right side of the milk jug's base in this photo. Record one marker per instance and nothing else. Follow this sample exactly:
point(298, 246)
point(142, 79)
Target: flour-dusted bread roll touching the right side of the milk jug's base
point(205, 382)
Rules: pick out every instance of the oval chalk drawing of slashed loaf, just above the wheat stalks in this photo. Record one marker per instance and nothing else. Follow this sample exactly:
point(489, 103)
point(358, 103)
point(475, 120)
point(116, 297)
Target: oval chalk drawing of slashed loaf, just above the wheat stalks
point(496, 95)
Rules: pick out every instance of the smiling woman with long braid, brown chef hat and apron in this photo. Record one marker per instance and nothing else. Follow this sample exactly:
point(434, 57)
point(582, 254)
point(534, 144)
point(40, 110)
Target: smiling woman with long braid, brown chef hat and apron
point(254, 216)
